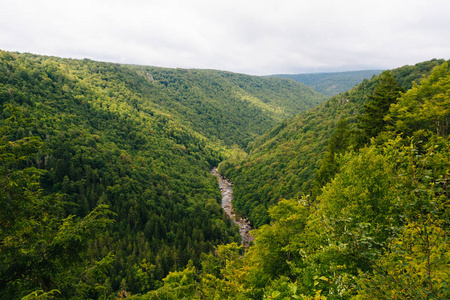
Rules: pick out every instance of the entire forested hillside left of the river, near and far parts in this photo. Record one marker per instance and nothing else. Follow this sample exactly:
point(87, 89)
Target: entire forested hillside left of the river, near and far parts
point(105, 184)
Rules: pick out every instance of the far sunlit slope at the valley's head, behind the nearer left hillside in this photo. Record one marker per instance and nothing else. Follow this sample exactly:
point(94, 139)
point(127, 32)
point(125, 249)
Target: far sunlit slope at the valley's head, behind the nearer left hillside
point(226, 107)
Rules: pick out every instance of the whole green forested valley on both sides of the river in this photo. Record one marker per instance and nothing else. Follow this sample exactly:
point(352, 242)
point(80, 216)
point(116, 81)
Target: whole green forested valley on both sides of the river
point(106, 189)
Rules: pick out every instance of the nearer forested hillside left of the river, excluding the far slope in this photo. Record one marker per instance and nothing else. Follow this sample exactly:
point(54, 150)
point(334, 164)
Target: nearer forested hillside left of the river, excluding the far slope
point(99, 149)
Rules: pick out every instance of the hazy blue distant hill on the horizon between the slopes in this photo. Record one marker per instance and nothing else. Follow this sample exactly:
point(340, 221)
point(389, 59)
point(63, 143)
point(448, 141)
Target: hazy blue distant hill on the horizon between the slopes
point(332, 84)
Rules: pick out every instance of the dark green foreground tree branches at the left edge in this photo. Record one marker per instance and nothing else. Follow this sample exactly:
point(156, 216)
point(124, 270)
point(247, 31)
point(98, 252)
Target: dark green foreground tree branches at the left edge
point(38, 244)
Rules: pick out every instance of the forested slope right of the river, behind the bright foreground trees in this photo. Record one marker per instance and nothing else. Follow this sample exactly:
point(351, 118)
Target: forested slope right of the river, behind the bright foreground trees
point(282, 162)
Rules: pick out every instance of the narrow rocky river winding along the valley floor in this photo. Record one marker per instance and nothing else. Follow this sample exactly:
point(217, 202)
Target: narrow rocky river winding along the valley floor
point(226, 188)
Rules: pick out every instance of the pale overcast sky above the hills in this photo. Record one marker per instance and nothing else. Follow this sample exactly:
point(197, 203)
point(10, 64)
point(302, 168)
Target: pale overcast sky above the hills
point(257, 37)
